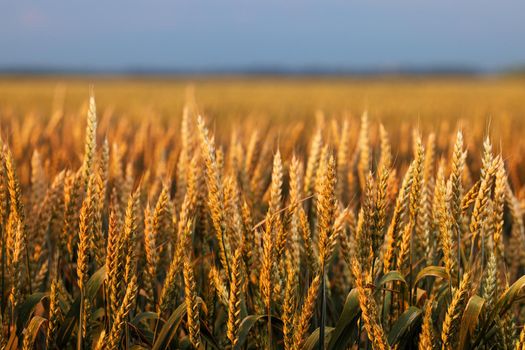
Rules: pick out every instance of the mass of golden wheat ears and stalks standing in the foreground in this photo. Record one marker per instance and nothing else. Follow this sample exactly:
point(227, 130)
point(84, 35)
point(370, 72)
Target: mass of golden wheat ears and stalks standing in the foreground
point(175, 241)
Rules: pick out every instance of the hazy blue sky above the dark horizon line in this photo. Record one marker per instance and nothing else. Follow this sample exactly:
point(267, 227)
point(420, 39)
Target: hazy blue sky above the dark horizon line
point(209, 34)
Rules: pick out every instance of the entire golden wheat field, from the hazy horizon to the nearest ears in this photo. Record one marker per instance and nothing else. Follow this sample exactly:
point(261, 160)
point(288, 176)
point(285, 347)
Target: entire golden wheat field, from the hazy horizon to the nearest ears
point(262, 213)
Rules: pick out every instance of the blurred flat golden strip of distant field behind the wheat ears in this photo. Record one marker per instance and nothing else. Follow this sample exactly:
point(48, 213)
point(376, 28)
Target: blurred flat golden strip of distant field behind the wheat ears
point(423, 100)
